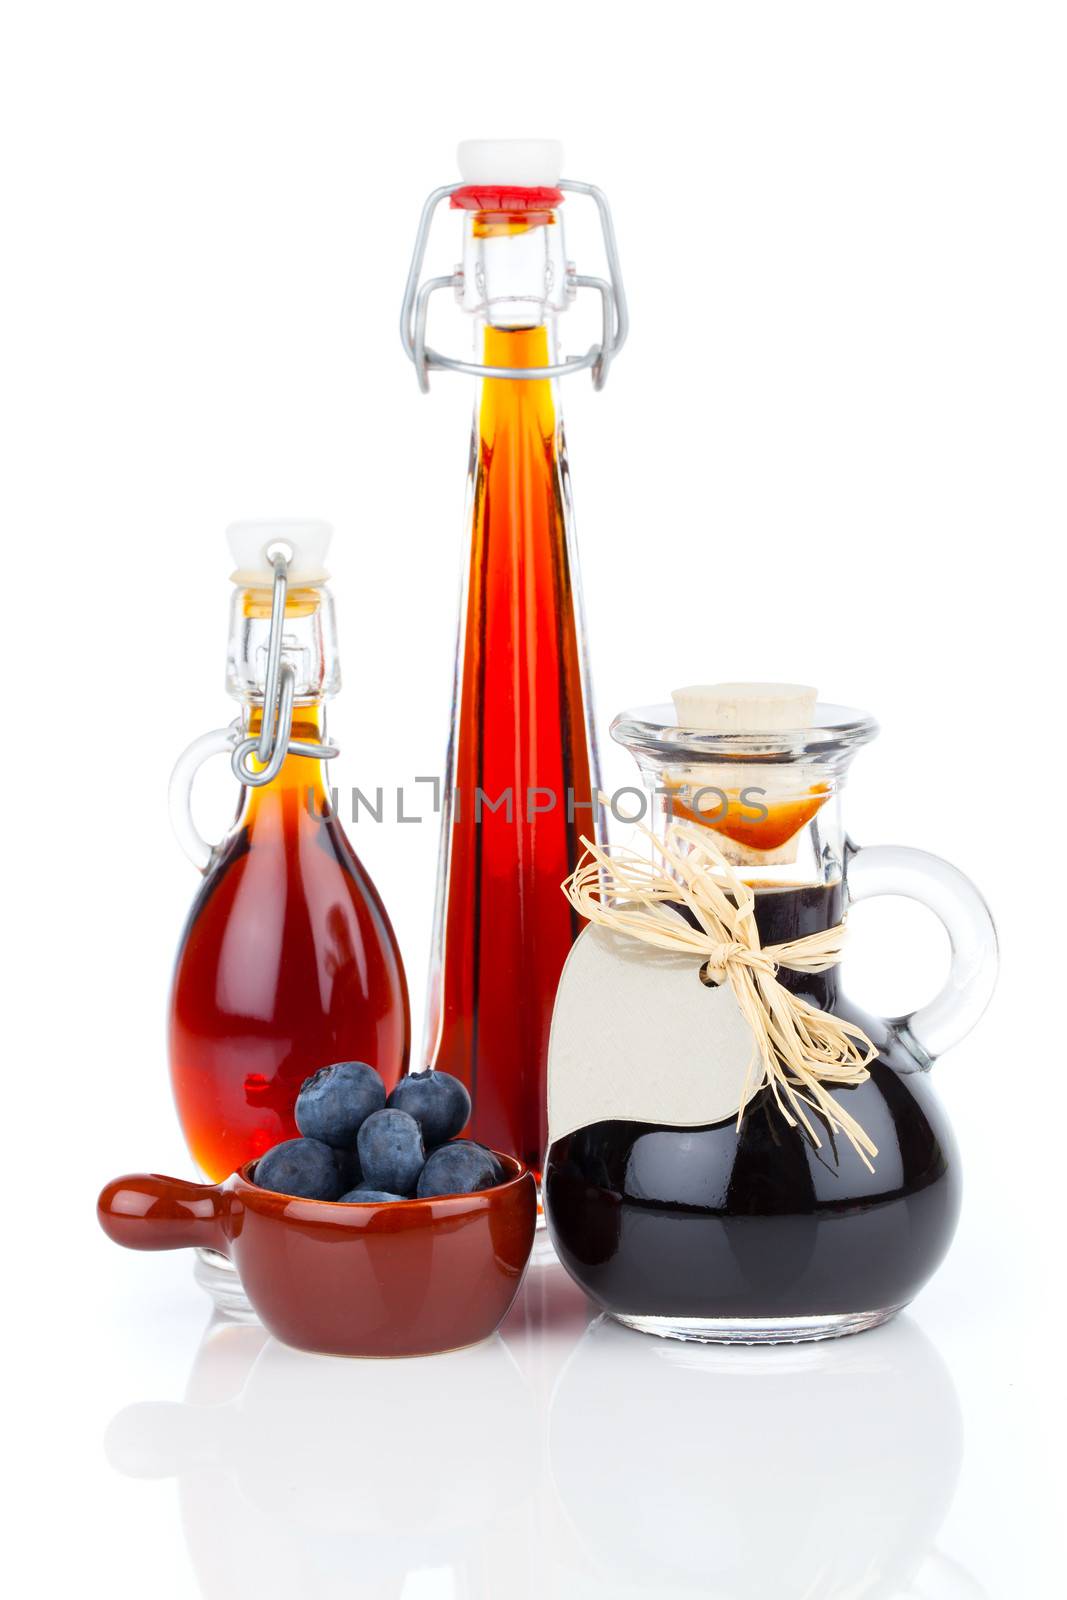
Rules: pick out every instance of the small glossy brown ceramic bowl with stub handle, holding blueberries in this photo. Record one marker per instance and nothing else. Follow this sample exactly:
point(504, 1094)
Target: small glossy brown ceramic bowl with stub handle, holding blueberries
point(402, 1278)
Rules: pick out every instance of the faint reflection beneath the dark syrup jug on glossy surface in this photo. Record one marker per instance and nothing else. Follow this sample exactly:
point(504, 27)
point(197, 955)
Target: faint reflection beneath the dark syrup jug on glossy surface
point(815, 1471)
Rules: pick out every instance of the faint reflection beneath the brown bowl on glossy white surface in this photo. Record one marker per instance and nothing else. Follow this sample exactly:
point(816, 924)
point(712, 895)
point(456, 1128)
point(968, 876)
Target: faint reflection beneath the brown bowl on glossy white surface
point(324, 1478)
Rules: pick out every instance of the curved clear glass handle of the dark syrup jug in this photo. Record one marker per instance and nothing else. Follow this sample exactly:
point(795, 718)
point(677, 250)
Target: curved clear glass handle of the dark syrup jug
point(914, 874)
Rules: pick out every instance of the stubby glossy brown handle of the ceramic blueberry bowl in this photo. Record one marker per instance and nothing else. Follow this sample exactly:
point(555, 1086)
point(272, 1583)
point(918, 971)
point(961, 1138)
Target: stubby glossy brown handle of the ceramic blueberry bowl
point(150, 1212)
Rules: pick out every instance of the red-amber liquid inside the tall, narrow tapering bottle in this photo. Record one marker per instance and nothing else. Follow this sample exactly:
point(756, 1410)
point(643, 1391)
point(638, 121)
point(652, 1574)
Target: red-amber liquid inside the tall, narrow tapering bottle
point(521, 727)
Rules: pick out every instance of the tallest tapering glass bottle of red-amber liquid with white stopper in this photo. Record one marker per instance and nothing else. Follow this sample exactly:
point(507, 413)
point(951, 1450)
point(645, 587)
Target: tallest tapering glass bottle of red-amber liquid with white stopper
point(522, 761)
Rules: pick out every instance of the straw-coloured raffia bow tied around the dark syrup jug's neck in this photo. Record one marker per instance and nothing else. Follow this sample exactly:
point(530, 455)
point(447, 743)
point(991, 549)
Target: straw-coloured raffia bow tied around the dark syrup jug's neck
point(799, 1050)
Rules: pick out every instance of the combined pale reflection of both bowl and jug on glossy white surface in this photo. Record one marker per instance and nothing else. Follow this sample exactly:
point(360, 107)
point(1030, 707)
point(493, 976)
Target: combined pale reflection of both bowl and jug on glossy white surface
point(564, 1457)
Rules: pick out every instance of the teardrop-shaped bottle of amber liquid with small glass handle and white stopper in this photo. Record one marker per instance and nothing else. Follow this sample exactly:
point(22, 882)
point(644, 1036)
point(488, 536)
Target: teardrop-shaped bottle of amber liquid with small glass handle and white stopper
point(289, 961)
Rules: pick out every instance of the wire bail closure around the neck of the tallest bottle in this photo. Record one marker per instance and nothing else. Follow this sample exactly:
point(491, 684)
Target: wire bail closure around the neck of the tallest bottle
point(417, 302)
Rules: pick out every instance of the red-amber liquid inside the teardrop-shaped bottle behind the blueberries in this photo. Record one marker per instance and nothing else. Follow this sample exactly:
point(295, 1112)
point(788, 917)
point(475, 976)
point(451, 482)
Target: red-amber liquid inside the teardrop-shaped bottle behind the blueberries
point(289, 962)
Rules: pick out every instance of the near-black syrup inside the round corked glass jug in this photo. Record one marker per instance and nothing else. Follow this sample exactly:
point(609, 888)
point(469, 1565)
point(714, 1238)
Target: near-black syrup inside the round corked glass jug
point(692, 1223)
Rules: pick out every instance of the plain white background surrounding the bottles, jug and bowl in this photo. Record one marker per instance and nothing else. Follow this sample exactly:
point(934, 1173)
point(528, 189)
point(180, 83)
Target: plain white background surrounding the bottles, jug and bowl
point(833, 452)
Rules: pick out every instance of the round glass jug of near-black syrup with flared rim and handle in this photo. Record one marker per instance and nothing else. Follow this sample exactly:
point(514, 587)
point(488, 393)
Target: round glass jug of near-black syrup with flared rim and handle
point(749, 1230)
